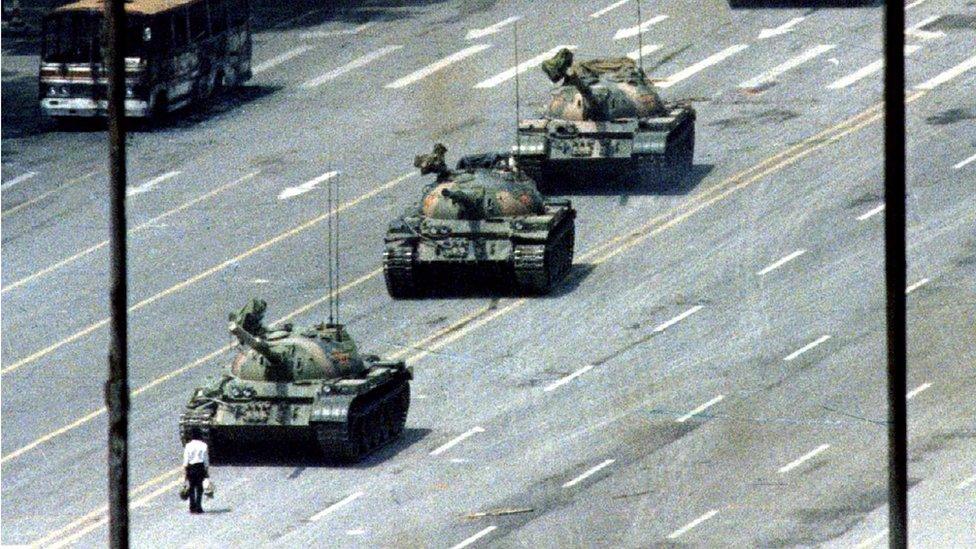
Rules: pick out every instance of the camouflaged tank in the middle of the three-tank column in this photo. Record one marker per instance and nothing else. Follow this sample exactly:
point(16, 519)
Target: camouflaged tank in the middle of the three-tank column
point(481, 218)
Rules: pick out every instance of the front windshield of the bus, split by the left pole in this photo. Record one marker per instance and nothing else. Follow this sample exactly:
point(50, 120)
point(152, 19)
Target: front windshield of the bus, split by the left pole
point(75, 37)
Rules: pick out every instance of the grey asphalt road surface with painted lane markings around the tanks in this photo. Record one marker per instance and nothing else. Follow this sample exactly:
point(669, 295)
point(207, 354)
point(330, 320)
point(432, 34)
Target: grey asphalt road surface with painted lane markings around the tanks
point(711, 374)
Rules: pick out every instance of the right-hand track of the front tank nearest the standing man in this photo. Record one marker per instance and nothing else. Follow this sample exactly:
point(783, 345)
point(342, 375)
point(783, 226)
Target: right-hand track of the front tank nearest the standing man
point(374, 421)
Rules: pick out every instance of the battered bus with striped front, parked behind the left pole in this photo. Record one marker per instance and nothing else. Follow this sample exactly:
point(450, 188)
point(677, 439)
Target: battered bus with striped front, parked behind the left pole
point(177, 52)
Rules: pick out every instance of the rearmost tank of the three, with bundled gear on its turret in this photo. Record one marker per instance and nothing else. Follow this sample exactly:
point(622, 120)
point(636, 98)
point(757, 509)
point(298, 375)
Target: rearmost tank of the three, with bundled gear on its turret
point(604, 121)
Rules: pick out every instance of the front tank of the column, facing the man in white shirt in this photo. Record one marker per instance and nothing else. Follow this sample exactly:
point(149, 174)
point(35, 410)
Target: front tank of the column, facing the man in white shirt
point(301, 385)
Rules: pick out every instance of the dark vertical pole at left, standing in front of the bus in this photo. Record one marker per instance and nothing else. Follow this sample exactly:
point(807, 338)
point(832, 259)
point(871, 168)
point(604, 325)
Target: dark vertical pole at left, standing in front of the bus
point(117, 386)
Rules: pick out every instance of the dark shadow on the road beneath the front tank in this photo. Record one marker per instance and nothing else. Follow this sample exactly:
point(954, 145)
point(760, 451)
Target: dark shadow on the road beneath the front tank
point(305, 454)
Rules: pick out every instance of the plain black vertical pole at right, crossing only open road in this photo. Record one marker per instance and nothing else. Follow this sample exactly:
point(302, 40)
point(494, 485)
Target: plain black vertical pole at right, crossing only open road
point(895, 272)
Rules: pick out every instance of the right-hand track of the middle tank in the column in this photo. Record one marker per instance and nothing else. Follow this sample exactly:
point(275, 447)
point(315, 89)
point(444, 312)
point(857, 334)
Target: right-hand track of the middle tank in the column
point(540, 266)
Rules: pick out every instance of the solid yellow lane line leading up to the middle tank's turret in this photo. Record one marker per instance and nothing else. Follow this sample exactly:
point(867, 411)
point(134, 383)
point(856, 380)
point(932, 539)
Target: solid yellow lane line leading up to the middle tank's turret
point(207, 273)
